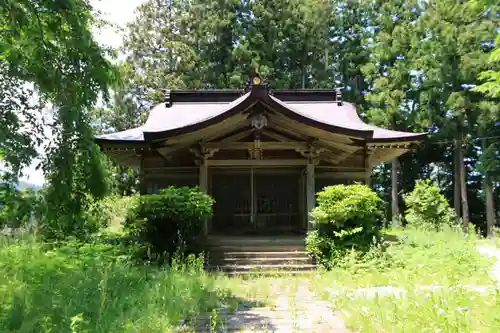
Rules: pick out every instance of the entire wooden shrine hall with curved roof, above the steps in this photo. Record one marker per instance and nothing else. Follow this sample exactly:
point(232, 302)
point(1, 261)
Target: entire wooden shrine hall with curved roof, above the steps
point(261, 153)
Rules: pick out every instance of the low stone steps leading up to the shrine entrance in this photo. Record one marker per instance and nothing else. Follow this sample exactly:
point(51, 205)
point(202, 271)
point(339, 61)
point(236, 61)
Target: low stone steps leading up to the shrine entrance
point(260, 255)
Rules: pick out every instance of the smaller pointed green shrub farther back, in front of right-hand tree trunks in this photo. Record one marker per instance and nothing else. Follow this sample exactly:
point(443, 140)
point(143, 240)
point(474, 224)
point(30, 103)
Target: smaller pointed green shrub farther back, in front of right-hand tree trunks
point(427, 207)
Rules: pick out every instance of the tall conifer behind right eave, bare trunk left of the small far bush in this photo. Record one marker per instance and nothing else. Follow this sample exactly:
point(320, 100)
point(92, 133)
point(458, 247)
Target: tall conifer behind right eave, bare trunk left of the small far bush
point(393, 95)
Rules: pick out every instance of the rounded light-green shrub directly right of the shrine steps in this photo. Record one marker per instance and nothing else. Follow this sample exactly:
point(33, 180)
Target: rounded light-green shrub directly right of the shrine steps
point(347, 216)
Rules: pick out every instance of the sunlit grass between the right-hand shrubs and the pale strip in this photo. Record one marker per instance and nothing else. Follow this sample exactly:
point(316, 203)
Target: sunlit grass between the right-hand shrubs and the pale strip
point(414, 257)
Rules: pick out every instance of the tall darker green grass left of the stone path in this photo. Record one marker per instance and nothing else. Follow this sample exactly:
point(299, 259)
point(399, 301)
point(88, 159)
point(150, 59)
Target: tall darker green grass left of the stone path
point(94, 288)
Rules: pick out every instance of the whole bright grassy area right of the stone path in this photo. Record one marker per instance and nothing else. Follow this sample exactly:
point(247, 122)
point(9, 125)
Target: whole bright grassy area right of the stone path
point(447, 259)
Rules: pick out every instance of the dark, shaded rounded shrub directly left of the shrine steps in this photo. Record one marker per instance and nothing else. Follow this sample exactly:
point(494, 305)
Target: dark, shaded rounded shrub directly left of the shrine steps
point(170, 221)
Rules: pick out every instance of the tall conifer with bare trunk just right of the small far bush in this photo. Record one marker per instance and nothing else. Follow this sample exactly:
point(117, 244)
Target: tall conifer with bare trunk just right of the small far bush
point(454, 41)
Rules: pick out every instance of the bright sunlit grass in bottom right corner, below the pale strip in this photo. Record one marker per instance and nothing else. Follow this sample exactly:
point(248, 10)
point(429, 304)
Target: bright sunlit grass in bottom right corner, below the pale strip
point(451, 310)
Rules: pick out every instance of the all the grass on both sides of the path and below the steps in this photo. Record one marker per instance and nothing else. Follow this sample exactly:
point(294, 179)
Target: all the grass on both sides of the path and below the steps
point(96, 288)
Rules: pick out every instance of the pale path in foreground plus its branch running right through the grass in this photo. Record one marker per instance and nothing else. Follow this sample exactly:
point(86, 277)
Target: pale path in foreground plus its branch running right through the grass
point(297, 309)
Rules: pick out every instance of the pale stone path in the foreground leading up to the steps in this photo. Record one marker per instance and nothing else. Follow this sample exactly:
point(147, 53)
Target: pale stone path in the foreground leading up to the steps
point(296, 309)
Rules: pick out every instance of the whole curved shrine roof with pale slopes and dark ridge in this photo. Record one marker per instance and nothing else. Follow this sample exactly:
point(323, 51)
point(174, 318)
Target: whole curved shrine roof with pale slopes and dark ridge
point(187, 111)
